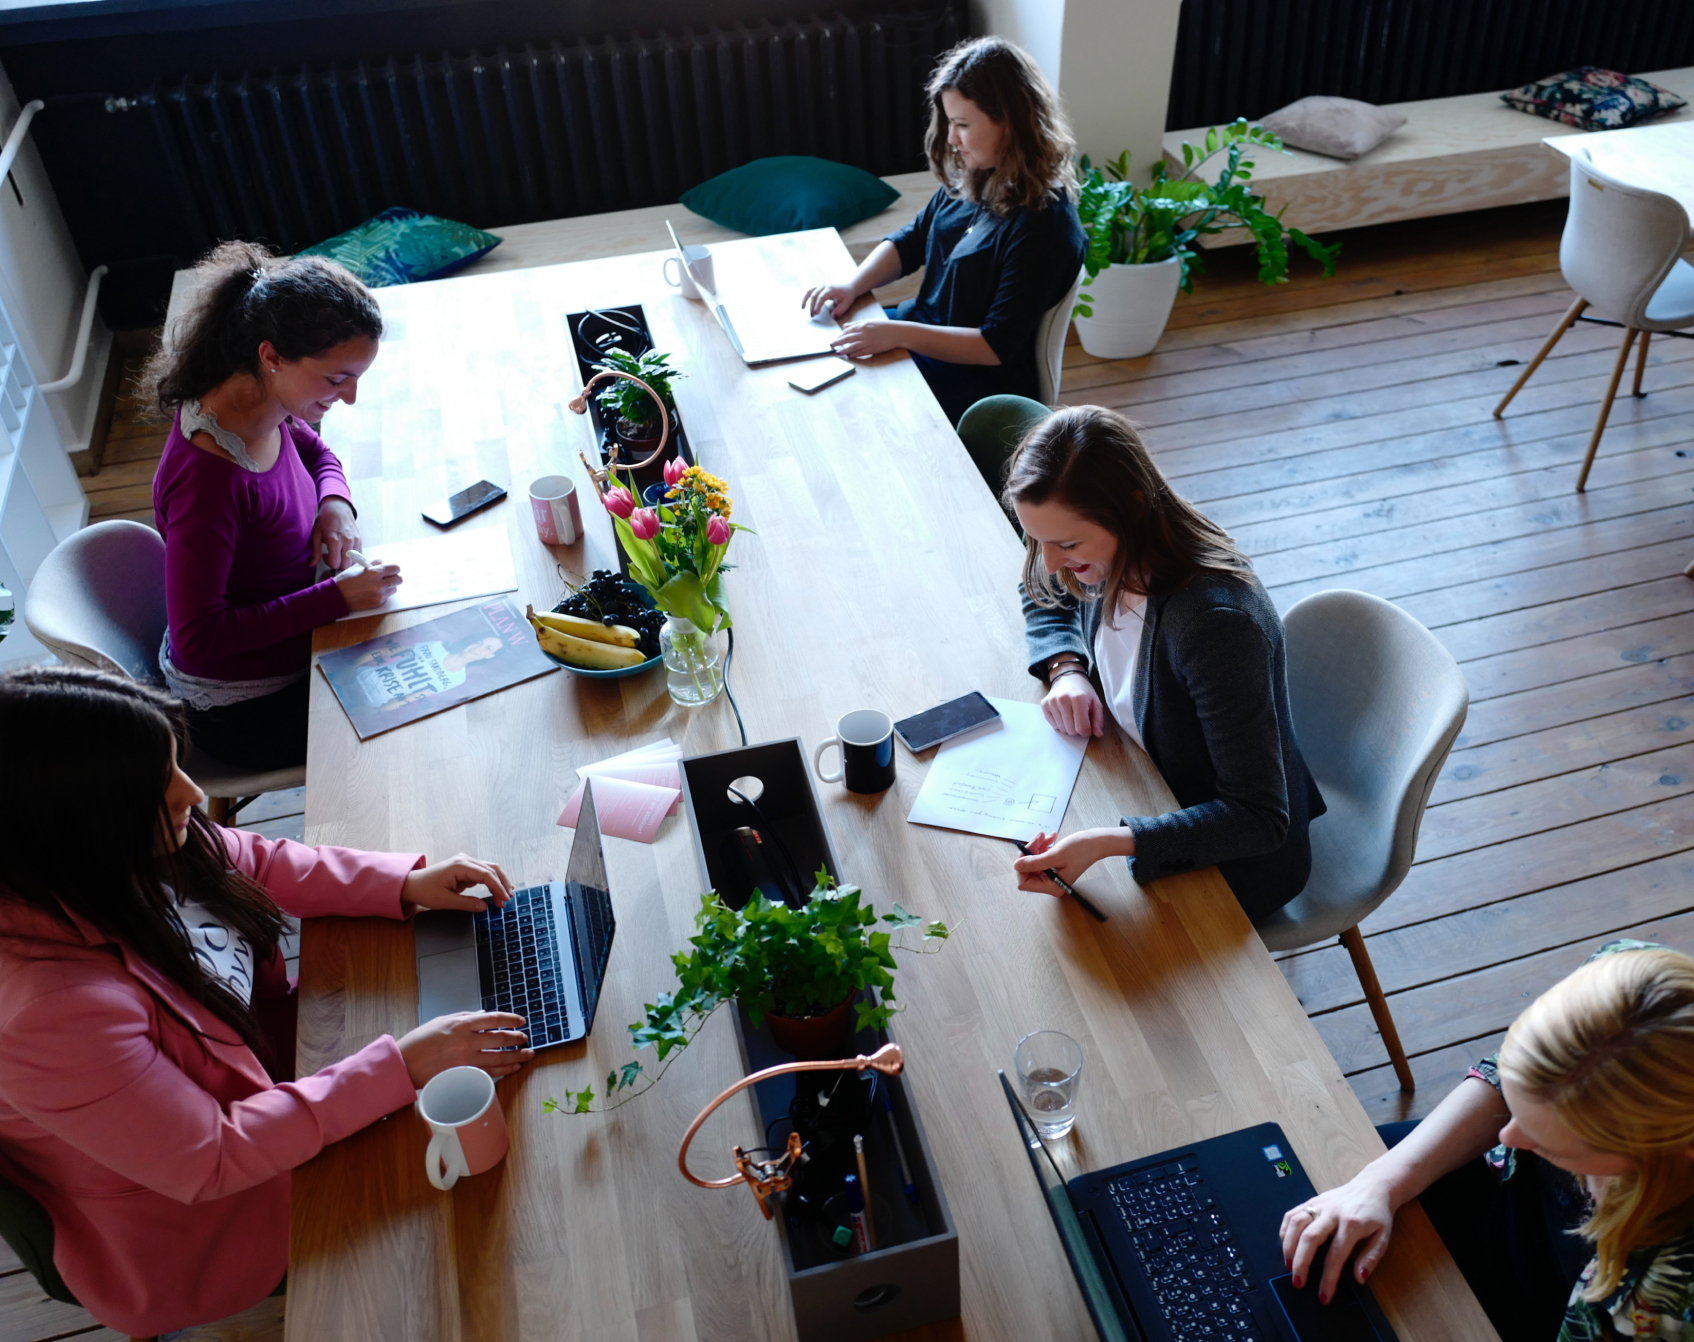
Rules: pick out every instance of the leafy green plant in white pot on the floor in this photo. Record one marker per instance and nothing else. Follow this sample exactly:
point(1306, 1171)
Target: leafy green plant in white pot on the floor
point(1141, 240)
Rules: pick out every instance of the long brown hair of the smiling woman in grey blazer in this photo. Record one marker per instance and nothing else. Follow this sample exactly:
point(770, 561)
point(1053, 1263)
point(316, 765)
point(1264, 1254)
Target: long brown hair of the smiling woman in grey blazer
point(1093, 462)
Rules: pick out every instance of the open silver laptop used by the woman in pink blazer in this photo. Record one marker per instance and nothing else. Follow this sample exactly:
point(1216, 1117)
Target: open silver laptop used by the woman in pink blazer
point(543, 957)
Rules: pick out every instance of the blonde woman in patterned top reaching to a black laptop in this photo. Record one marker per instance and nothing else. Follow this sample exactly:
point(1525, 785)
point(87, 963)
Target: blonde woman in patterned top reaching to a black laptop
point(1592, 1101)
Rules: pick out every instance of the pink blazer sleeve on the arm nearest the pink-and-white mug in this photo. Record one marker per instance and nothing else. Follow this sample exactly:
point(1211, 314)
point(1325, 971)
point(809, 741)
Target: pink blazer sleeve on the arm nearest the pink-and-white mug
point(84, 1065)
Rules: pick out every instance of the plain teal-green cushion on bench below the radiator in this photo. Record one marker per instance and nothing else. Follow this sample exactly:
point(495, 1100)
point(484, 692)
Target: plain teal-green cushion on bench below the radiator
point(789, 194)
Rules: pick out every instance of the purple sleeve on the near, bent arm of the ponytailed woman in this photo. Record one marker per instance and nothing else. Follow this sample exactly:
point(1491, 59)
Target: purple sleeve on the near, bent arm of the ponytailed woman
point(201, 521)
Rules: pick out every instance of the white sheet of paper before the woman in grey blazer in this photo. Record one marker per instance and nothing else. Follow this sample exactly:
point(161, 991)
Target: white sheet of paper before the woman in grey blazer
point(1007, 782)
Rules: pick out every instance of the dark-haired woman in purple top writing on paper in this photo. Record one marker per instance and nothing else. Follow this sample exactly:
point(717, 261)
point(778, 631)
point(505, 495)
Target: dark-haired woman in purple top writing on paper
point(250, 501)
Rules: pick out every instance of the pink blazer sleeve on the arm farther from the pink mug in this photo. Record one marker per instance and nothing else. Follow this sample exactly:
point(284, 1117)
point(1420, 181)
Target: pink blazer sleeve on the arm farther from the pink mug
point(313, 882)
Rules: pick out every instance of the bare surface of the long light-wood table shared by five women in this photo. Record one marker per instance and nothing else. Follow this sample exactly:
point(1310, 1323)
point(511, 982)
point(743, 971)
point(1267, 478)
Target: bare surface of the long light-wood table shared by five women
point(880, 574)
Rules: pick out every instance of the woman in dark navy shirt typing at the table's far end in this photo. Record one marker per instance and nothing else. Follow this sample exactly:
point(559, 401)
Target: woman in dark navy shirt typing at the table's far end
point(1000, 241)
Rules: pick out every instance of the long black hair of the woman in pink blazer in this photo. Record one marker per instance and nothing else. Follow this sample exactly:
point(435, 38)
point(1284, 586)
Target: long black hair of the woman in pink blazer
point(87, 745)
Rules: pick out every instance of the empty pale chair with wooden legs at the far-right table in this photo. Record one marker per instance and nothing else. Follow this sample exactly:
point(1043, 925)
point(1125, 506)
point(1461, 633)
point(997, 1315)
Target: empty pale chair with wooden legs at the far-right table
point(1622, 253)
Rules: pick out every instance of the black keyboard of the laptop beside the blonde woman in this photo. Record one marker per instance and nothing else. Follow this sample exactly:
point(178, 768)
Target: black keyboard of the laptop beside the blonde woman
point(1188, 1251)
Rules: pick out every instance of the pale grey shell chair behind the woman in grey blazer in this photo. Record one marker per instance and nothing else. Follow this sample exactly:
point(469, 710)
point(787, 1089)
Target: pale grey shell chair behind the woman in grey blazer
point(1378, 704)
